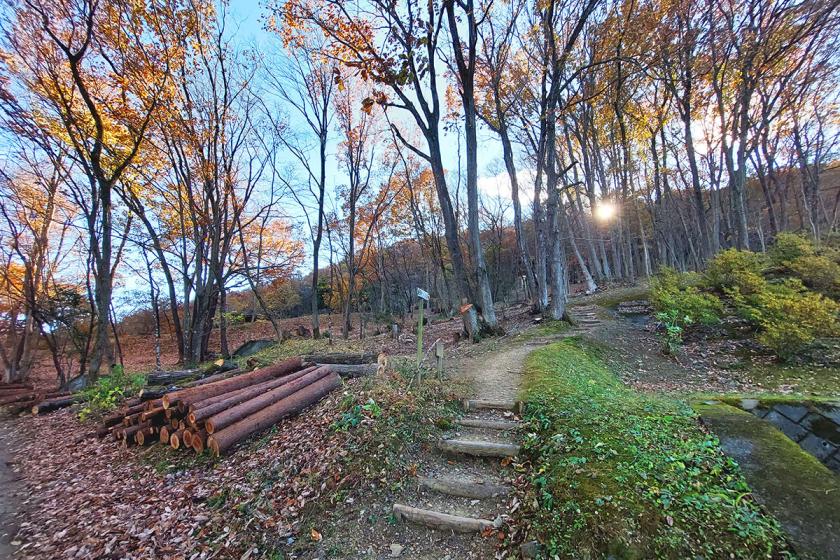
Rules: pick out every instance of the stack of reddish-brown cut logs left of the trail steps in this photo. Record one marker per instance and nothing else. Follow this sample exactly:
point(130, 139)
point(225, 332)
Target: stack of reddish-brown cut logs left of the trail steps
point(219, 413)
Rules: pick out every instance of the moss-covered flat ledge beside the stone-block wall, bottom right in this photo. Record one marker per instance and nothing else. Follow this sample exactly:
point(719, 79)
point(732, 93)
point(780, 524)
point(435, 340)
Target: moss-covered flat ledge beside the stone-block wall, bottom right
point(791, 484)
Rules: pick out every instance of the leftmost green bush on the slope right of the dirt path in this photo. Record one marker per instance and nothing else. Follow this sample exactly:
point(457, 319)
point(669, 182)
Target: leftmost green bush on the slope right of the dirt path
point(676, 296)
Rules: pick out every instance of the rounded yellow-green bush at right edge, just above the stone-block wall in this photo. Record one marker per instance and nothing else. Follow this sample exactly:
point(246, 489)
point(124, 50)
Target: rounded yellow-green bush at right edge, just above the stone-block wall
point(789, 317)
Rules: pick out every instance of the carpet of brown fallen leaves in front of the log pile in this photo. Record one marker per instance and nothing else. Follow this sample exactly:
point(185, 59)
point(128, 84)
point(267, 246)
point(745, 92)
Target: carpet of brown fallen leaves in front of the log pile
point(93, 499)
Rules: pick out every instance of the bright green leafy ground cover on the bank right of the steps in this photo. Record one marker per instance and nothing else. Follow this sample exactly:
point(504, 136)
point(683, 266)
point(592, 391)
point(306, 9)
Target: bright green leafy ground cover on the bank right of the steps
point(619, 474)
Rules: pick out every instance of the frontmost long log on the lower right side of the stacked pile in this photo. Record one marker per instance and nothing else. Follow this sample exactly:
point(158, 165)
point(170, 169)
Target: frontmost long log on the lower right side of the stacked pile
point(223, 440)
